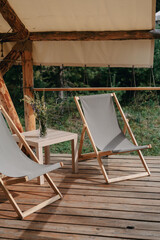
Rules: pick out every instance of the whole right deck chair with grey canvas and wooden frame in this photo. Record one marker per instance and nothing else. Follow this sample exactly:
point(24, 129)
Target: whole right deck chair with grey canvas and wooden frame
point(100, 122)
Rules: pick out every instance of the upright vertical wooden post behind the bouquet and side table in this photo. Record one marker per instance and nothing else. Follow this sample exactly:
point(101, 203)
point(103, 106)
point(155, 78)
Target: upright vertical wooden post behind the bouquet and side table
point(27, 67)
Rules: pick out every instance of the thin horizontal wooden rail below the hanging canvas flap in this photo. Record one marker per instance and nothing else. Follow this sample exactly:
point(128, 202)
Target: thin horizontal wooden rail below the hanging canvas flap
point(98, 89)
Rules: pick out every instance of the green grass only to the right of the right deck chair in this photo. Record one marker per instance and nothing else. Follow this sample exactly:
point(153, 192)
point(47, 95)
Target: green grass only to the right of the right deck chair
point(145, 122)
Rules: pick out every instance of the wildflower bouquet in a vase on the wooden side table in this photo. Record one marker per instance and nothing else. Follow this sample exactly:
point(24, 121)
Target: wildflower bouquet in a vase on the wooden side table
point(40, 111)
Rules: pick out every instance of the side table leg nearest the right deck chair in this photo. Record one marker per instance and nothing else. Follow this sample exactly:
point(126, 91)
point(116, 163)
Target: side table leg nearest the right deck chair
point(74, 144)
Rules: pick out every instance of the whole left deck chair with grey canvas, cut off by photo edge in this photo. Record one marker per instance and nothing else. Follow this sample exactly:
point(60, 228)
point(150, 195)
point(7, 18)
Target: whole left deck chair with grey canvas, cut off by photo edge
point(16, 167)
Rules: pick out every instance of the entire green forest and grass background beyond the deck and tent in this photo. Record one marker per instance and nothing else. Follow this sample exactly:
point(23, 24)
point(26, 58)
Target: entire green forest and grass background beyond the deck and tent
point(142, 107)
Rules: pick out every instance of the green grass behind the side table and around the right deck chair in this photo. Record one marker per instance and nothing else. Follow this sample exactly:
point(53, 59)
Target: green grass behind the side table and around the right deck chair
point(143, 114)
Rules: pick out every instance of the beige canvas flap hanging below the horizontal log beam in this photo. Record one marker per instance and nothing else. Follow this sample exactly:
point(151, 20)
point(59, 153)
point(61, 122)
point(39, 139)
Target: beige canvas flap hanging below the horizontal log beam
point(95, 53)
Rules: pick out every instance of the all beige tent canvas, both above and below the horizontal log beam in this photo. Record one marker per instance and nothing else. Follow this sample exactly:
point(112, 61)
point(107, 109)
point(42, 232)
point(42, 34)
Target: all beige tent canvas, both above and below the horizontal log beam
point(87, 15)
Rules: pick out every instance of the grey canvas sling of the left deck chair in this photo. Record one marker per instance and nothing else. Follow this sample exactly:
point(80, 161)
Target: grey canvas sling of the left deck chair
point(13, 162)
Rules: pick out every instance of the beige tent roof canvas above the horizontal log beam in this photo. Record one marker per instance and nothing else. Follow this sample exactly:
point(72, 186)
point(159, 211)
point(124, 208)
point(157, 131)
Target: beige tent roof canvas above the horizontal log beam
point(83, 15)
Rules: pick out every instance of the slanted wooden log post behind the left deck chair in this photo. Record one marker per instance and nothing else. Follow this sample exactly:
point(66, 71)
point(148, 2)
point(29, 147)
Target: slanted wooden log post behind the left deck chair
point(6, 102)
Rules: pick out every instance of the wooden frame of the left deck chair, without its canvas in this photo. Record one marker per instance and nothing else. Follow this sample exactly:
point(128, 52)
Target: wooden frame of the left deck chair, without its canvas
point(4, 181)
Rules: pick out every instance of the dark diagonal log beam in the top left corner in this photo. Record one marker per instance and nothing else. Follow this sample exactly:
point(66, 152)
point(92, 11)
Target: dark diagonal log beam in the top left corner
point(13, 20)
